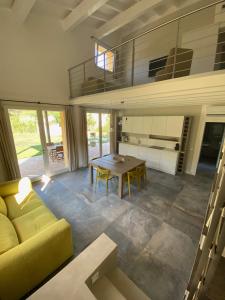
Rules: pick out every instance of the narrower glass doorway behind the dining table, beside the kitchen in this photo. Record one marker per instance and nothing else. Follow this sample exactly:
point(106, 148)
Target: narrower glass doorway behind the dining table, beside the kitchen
point(98, 134)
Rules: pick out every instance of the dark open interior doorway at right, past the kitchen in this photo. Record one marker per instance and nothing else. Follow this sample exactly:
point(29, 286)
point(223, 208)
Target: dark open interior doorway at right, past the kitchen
point(211, 147)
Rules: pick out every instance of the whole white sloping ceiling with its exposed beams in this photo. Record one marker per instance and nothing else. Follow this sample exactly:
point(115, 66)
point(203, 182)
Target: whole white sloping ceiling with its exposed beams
point(106, 16)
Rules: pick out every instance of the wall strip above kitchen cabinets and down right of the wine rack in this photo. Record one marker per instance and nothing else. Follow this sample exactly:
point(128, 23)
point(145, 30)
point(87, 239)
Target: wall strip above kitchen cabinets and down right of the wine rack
point(193, 111)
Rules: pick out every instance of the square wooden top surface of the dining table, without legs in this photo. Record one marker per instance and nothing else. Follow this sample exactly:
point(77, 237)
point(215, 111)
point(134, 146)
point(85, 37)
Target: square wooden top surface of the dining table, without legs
point(116, 167)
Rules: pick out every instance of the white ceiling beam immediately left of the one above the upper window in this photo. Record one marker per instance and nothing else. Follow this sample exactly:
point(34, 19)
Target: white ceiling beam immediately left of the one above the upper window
point(85, 9)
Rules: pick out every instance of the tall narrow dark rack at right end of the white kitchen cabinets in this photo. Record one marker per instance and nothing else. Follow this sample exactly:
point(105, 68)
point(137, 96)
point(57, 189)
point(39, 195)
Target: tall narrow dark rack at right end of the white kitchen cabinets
point(184, 143)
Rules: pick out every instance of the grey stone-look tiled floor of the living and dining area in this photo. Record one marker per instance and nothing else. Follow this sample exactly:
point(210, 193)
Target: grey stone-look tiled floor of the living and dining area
point(157, 230)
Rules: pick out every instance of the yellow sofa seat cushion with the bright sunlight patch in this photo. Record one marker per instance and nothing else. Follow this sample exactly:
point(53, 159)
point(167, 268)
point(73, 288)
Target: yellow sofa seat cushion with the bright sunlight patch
point(17, 208)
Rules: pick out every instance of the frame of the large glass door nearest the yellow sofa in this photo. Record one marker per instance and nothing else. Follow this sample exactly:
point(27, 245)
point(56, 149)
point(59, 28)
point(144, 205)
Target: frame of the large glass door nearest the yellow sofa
point(39, 108)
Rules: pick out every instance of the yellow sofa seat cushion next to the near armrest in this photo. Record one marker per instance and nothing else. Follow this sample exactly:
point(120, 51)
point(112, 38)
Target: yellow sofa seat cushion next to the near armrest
point(33, 222)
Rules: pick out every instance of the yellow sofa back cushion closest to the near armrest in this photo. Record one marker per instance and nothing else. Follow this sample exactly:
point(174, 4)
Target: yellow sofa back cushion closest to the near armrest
point(8, 236)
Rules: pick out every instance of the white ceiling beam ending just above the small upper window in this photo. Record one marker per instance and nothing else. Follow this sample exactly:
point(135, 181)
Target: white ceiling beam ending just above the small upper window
point(125, 17)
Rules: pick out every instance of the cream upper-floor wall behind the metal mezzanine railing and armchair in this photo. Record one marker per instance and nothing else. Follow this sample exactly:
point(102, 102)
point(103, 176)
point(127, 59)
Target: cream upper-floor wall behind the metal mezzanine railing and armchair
point(159, 43)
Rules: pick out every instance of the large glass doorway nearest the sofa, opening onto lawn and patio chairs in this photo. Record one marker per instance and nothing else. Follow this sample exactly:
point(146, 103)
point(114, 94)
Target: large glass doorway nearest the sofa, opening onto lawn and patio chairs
point(39, 139)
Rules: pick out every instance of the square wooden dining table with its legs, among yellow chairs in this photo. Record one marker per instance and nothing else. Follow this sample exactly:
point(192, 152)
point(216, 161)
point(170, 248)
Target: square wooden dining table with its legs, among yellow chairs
point(117, 168)
